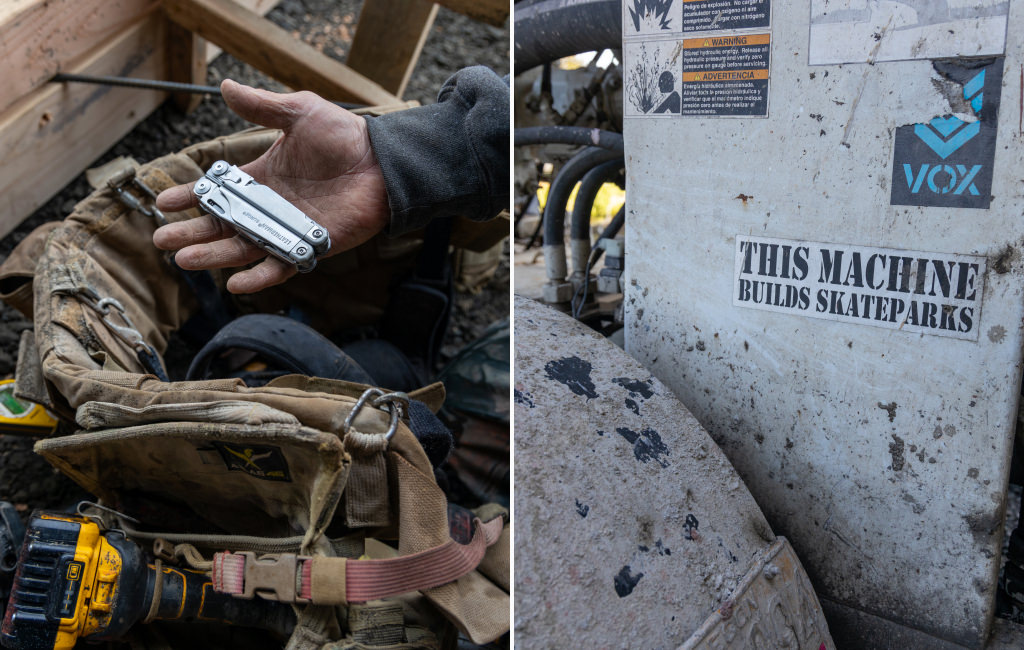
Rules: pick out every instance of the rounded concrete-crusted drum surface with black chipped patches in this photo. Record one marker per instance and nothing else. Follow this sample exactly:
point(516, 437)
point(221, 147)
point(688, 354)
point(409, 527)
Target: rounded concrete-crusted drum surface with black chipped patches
point(631, 526)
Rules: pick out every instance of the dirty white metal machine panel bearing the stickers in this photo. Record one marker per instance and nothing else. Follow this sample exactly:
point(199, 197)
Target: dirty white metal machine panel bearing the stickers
point(881, 452)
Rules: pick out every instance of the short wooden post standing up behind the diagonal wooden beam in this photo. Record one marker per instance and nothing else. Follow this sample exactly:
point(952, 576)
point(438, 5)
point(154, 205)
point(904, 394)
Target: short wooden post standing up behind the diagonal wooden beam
point(404, 25)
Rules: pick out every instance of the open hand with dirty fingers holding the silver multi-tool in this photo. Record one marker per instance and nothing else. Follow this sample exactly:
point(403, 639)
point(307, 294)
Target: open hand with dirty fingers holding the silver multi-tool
point(322, 163)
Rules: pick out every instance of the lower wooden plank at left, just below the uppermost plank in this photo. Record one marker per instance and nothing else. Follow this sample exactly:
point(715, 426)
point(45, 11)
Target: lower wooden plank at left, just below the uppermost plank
point(52, 136)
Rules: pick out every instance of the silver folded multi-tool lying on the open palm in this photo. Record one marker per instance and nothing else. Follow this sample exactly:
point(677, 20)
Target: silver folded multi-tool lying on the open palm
point(262, 215)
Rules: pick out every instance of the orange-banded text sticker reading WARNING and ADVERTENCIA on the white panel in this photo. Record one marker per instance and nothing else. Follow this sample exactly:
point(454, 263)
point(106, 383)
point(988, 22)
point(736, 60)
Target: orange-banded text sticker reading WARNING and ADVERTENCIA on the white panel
point(727, 75)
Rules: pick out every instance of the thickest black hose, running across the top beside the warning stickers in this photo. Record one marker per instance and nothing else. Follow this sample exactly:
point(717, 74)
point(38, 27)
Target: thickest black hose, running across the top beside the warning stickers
point(549, 30)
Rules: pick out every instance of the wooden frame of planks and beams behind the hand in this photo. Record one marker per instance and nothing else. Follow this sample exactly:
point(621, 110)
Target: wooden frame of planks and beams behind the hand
point(51, 133)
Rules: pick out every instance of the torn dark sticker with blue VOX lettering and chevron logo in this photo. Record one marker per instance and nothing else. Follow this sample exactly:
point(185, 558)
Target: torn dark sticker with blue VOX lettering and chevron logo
point(949, 161)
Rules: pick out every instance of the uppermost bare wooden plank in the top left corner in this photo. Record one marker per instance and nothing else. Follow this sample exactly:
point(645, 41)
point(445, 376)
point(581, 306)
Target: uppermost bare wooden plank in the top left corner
point(38, 39)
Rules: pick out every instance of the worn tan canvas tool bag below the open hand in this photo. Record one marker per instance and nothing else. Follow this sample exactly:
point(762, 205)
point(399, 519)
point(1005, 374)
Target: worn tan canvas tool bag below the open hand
point(276, 468)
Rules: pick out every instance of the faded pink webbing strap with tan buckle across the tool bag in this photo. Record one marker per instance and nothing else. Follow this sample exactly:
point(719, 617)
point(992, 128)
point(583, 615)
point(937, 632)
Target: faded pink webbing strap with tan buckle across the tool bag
point(372, 580)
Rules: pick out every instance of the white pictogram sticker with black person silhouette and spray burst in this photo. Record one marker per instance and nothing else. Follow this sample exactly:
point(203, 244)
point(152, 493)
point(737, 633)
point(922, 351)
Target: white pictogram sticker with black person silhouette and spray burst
point(653, 78)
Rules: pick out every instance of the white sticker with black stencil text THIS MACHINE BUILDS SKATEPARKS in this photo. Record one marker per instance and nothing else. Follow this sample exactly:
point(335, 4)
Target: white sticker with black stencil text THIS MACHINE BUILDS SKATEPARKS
point(927, 293)
